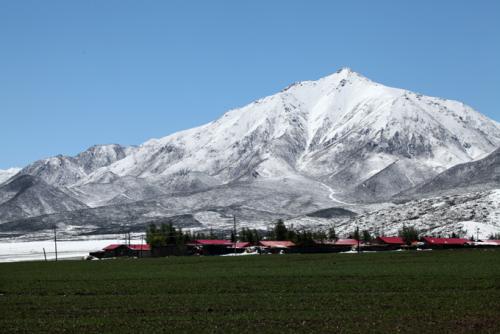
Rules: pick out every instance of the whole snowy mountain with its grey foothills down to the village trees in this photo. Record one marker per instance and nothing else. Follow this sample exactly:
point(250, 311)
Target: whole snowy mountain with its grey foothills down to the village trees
point(343, 140)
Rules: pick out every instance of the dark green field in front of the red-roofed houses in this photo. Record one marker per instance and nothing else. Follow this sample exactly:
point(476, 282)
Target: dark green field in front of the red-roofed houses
point(439, 291)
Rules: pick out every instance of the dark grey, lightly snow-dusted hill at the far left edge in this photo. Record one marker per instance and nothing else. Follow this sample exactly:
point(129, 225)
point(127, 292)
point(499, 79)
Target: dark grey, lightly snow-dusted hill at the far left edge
point(27, 196)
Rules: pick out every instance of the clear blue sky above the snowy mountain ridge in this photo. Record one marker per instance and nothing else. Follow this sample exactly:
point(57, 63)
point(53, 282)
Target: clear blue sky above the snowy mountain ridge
point(74, 74)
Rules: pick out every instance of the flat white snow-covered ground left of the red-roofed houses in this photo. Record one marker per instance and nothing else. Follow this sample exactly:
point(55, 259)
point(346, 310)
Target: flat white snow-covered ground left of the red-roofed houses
point(15, 251)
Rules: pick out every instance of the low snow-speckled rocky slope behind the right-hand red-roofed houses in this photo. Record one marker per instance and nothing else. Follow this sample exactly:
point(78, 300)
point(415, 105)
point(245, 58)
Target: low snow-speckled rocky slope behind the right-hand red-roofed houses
point(461, 214)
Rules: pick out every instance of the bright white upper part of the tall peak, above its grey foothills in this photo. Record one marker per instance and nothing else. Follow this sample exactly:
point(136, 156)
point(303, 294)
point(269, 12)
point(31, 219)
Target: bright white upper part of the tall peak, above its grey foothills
point(342, 130)
